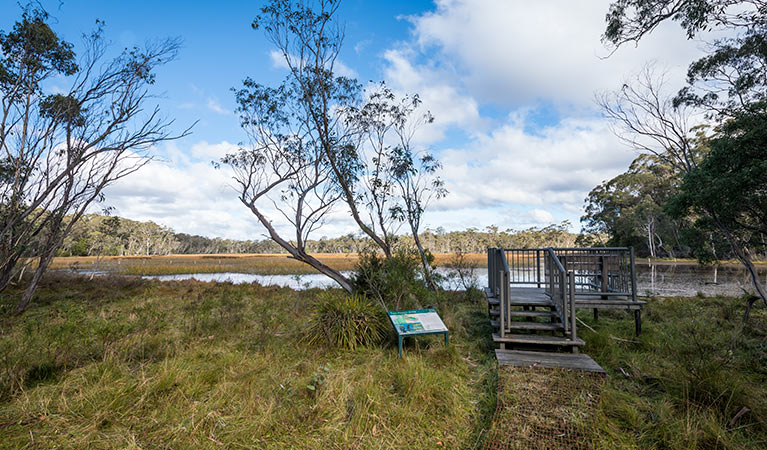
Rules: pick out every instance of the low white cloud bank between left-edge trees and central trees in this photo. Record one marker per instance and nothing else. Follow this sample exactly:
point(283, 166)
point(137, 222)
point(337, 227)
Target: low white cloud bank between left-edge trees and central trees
point(185, 192)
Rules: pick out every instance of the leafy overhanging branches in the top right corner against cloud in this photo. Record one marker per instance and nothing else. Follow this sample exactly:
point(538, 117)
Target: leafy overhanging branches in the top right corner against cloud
point(731, 78)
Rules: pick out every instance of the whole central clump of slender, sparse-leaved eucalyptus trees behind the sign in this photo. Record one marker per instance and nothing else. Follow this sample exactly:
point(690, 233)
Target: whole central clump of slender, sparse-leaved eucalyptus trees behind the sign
point(315, 141)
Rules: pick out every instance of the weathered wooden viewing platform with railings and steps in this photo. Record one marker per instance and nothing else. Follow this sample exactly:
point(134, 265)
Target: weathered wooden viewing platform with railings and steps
point(533, 295)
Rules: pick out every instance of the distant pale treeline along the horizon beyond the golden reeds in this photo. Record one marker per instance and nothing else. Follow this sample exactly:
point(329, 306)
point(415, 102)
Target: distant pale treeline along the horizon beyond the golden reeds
point(98, 235)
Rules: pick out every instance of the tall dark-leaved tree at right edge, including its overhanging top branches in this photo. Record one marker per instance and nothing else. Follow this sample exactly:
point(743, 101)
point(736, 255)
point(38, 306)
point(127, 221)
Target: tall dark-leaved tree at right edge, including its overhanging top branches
point(728, 85)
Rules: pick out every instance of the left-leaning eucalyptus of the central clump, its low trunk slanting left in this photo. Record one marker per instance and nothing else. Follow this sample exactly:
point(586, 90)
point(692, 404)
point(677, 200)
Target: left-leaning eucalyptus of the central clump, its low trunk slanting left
point(298, 142)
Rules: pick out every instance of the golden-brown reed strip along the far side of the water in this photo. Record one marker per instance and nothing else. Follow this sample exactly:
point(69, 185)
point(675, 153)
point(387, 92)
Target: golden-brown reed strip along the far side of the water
point(265, 264)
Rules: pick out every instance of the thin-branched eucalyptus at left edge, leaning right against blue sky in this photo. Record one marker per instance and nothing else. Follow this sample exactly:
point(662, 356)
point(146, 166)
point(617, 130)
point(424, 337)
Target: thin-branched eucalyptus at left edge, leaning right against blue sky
point(59, 151)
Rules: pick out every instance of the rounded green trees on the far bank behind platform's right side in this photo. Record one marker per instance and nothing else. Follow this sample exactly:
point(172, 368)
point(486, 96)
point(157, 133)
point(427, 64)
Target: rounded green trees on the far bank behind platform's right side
point(641, 208)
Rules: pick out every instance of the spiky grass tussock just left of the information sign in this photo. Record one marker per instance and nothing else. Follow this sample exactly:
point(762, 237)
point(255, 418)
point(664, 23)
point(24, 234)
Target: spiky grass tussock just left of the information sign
point(346, 321)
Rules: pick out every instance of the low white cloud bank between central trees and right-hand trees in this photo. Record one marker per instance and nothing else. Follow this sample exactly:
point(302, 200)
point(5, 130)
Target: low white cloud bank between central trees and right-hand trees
point(512, 168)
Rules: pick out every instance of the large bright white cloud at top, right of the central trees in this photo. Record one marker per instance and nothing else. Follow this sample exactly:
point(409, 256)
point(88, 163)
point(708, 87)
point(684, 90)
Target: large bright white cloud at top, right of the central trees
point(519, 52)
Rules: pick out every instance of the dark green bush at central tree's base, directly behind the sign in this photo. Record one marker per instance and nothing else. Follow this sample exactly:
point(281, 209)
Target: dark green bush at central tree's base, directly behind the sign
point(396, 283)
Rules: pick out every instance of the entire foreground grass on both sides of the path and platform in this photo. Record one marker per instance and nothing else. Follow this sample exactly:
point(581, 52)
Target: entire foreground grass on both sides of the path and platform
point(128, 363)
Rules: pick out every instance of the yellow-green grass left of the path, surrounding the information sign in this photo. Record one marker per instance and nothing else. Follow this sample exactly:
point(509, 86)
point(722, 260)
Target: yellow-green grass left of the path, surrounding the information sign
point(126, 363)
